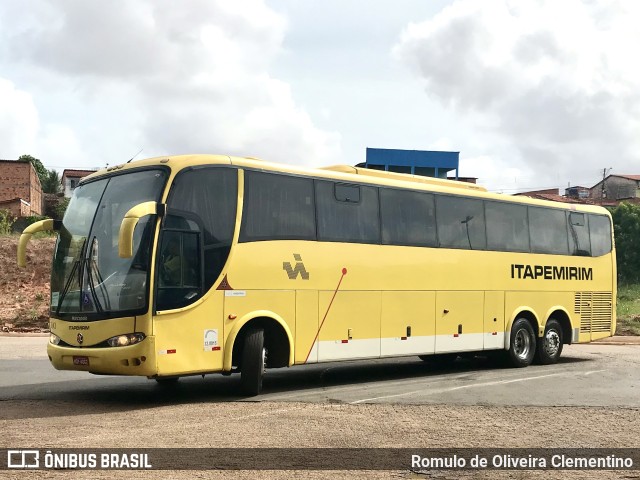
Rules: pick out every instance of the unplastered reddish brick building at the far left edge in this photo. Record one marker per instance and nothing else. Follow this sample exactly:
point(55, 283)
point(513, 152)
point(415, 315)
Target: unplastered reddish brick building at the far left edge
point(20, 189)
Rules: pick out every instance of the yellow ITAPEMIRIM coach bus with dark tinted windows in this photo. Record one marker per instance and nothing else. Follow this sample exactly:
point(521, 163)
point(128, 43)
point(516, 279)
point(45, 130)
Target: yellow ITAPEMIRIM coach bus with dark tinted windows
point(200, 264)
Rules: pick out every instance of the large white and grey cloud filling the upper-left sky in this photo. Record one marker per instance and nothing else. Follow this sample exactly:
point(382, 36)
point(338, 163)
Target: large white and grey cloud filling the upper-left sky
point(170, 78)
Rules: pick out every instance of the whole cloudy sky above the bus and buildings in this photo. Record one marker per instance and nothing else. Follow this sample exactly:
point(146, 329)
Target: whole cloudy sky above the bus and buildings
point(533, 94)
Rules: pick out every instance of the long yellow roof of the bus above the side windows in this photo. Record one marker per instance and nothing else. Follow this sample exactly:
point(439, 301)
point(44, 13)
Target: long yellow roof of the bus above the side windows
point(346, 173)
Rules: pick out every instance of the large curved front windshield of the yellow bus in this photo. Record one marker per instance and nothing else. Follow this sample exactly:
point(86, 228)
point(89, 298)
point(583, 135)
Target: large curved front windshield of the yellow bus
point(89, 281)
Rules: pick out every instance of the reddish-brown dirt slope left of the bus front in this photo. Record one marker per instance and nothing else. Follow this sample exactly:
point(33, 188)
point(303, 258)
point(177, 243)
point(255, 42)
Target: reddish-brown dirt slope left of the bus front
point(24, 292)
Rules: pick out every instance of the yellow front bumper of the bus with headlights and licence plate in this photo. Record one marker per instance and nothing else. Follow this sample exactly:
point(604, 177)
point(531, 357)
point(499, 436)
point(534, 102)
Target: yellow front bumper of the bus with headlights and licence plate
point(137, 359)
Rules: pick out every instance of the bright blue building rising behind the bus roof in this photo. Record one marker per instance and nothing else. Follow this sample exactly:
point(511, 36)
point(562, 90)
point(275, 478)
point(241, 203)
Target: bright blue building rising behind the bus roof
point(414, 162)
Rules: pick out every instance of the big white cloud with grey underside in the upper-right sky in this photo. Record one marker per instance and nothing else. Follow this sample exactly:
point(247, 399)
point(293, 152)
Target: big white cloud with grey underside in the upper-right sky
point(554, 82)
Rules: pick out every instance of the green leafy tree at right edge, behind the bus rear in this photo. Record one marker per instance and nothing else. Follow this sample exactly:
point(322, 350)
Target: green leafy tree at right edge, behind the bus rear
point(626, 225)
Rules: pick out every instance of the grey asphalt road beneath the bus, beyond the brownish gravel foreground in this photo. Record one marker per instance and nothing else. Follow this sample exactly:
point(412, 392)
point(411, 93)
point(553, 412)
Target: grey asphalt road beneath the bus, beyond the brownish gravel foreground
point(588, 375)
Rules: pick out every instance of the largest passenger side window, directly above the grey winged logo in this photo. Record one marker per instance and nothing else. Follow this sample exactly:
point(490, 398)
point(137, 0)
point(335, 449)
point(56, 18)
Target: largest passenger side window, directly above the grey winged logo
point(277, 207)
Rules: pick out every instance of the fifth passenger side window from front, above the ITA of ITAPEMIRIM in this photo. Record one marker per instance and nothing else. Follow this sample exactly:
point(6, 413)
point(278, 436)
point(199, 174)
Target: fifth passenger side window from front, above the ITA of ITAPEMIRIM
point(507, 227)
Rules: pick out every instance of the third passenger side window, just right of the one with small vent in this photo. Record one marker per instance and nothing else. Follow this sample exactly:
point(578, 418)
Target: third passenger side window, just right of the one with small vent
point(408, 218)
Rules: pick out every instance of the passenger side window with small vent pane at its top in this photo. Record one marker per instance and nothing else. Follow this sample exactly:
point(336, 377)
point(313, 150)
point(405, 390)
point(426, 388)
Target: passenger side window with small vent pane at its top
point(347, 221)
